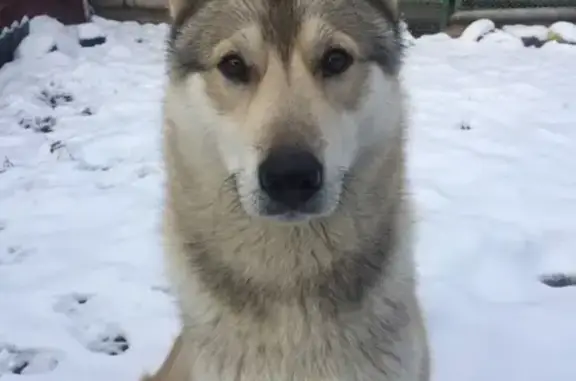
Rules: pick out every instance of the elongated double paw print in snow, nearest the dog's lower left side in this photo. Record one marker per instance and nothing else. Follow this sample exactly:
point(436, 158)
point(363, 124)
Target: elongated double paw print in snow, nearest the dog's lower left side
point(94, 334)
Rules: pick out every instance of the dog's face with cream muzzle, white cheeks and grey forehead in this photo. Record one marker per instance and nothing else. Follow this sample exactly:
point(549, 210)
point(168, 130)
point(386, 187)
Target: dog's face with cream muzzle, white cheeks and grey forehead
point(291, 90)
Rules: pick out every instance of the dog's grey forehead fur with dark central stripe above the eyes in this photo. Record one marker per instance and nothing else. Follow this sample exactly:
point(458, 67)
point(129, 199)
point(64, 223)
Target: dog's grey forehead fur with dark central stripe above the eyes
point(202, 24)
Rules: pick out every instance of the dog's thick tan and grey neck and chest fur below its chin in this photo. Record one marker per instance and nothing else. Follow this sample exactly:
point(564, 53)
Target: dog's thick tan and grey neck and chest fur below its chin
point(351, 319)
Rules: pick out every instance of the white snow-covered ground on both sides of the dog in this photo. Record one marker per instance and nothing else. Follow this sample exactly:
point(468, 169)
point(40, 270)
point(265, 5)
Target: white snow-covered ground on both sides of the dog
point(492, 165)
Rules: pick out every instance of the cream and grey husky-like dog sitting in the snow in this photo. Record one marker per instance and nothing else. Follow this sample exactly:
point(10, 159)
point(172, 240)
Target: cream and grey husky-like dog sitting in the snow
point(287, 220)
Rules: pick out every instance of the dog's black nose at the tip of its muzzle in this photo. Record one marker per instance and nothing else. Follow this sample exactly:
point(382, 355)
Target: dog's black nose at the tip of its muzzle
point(290, 176)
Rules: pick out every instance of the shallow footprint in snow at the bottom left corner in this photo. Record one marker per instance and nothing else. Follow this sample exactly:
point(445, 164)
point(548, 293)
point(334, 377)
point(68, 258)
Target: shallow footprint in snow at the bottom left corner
point(27, 361)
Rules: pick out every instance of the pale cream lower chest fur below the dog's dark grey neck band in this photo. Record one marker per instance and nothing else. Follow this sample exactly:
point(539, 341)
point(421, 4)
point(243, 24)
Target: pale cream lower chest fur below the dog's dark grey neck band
point(293, 345)
